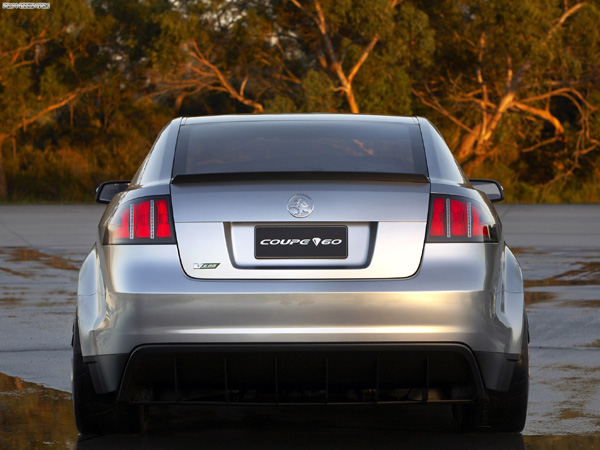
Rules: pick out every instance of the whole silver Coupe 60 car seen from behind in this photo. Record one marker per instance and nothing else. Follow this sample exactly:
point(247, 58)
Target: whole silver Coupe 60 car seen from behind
point(300, 259)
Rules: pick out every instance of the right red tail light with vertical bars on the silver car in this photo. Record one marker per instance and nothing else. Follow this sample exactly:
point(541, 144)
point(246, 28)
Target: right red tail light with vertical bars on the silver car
point(459, 219)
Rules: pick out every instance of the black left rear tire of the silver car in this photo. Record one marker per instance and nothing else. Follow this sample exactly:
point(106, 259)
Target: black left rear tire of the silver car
point(99, 413)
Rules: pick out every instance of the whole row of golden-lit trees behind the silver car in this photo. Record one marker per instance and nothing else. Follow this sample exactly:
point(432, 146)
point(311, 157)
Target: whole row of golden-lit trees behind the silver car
point(513, 85)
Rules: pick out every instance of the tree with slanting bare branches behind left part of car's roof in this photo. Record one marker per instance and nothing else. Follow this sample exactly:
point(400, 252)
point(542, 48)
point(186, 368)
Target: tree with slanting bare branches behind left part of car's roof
point(226, 47)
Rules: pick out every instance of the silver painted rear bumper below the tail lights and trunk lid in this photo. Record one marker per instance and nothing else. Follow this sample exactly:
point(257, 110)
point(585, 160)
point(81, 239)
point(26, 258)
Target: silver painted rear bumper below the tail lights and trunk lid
point(472, 302)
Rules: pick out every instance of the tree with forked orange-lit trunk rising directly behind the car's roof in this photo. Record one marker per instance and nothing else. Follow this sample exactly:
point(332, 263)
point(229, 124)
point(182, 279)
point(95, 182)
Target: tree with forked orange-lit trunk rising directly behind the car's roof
point(366, 48)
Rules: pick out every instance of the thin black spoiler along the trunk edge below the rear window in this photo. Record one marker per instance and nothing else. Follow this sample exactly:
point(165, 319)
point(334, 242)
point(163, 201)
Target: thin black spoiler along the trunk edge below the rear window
point(300, 176)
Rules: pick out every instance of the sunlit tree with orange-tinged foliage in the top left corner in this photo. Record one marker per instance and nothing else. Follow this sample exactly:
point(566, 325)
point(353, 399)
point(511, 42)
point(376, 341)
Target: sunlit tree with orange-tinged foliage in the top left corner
point(38, 52)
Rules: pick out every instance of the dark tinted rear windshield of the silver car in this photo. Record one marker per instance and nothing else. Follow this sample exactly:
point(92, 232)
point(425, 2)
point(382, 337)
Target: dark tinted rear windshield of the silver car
point(299, 146)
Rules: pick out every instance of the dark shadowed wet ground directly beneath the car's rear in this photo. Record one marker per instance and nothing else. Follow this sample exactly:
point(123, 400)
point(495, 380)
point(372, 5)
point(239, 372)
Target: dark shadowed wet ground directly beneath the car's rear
point(325, 428)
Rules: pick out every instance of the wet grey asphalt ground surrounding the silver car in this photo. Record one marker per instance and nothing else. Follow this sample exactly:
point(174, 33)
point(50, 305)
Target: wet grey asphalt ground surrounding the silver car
point(558, 246)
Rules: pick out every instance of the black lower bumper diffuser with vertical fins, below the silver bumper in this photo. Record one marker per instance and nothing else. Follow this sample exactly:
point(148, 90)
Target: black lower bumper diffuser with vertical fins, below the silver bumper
point(301, 374)
